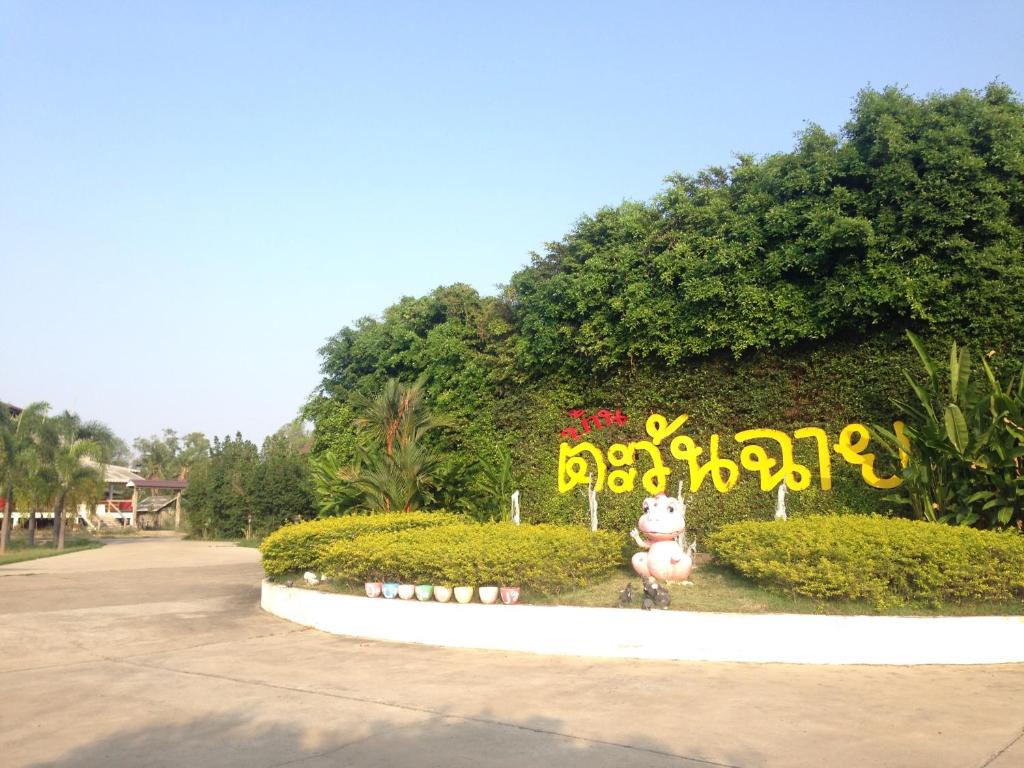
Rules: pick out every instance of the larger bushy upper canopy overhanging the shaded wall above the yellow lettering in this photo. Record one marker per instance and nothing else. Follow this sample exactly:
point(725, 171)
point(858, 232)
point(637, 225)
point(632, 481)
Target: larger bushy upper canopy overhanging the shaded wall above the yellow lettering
point(913, 215)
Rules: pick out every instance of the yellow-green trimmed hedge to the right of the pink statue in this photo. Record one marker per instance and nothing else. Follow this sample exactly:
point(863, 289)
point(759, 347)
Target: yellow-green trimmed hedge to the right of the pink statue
point(888, 562)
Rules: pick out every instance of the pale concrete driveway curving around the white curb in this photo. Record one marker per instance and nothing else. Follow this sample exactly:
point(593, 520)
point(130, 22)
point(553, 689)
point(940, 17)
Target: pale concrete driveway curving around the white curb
point(155, 653)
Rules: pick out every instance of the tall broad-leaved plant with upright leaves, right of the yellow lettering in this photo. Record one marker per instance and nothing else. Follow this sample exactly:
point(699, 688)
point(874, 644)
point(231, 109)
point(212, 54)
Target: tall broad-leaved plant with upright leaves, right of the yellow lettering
point(964, 445)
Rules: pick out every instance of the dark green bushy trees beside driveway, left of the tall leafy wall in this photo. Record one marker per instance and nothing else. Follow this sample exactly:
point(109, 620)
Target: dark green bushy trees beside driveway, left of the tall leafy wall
point(240, 491)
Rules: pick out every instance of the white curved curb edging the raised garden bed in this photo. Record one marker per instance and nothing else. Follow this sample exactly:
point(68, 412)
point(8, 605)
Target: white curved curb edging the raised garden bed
point(658, 635)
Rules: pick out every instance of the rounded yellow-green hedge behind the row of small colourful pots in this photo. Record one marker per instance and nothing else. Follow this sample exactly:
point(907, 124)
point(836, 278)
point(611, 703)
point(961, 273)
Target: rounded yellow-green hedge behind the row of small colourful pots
point(544, 560)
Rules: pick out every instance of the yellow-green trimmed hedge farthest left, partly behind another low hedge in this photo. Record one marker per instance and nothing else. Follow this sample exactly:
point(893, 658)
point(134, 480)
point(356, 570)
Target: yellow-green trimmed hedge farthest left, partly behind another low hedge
point(298, 548)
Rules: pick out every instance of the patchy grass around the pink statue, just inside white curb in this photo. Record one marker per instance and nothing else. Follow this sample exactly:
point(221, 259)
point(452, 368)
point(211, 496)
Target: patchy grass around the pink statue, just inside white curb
point(717, 589)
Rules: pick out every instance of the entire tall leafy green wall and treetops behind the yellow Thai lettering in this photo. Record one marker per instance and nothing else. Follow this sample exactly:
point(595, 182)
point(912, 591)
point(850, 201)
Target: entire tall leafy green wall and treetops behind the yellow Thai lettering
point(774, 293)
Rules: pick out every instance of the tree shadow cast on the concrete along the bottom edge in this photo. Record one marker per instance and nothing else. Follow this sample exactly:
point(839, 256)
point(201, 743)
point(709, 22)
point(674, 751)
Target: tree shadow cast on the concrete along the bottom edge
point(425, 740)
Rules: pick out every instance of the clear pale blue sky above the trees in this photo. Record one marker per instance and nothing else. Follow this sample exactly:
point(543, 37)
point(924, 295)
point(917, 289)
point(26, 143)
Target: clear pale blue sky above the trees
point(194, 196)
